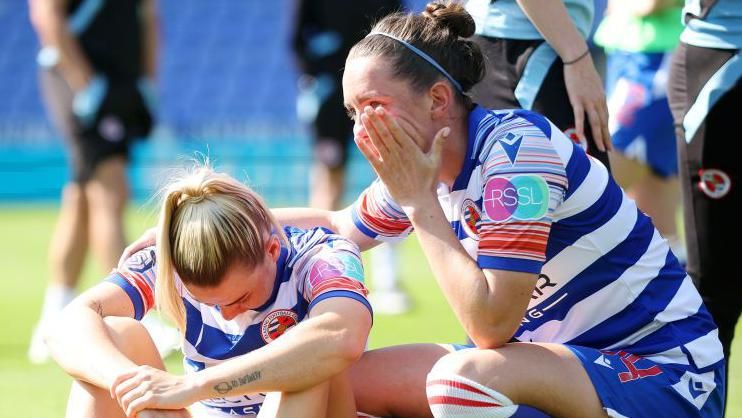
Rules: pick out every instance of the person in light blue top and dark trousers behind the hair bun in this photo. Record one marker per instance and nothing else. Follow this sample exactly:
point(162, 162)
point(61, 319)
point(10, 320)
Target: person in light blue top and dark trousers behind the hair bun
point(538, 59)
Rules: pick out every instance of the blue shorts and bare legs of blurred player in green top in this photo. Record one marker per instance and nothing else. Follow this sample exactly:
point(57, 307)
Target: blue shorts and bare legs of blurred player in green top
point(645, 161)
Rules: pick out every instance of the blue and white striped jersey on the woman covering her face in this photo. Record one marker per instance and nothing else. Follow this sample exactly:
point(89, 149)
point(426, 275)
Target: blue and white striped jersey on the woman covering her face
point(528, 199)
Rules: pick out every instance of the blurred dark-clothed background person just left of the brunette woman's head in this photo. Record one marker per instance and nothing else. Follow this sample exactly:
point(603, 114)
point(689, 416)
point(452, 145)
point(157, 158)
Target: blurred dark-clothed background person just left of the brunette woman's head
point(324, 31)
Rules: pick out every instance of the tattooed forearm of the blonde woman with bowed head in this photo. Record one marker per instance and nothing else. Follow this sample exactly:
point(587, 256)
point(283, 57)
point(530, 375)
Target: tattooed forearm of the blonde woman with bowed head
point(308, 354)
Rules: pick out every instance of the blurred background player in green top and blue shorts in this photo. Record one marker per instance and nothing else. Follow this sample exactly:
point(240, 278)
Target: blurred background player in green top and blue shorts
point(639, 37)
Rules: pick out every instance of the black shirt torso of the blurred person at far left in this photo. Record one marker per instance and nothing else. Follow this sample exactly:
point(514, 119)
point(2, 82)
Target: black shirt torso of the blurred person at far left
point(110, 35)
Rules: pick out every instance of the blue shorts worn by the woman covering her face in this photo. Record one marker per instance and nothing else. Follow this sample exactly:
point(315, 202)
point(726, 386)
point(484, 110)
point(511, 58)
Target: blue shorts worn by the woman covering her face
point(634, 386)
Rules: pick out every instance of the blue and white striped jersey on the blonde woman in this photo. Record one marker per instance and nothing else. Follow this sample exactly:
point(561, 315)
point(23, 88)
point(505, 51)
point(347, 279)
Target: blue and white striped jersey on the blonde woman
point(314, 266)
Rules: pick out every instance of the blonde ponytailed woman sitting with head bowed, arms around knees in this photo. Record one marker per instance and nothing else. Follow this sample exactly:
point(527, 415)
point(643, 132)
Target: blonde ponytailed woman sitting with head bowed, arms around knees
point(233, 282)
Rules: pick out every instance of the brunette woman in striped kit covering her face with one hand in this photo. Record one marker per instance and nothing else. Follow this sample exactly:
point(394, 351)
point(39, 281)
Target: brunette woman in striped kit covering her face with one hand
point(575, 302)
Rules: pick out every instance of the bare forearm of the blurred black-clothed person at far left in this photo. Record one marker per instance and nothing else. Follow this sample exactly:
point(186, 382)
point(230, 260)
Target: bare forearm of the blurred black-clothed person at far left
point(51, 28)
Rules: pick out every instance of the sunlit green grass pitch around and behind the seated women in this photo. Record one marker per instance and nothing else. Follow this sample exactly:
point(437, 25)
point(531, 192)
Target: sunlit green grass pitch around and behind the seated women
point(40, 391)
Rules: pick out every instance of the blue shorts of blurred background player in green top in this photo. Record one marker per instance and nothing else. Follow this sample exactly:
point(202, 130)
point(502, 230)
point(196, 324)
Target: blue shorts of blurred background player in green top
point(640, 121)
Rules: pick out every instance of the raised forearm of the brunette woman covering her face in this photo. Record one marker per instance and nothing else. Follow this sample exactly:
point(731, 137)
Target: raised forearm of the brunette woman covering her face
point(462, 281)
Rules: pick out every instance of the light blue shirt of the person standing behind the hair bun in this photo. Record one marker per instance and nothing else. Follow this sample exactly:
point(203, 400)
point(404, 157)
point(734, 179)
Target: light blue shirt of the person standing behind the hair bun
point(505, 19)
